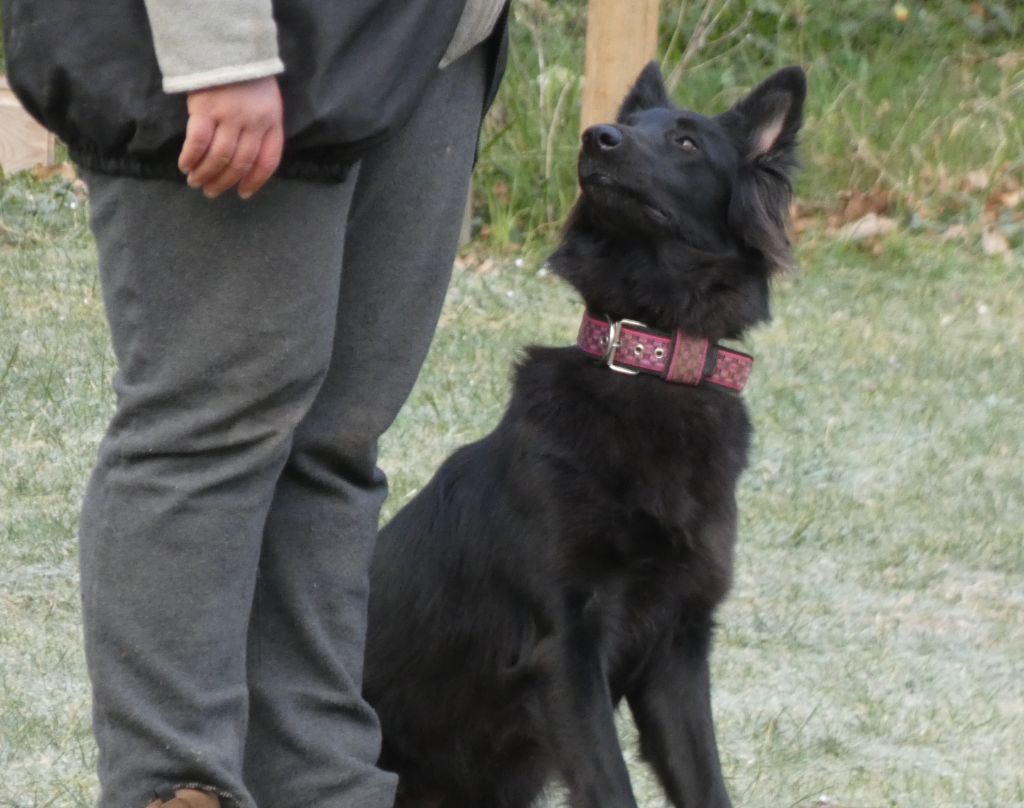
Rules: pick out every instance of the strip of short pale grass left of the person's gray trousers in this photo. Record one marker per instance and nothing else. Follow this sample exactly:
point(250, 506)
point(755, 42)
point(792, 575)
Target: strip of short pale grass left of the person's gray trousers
point(55, 398)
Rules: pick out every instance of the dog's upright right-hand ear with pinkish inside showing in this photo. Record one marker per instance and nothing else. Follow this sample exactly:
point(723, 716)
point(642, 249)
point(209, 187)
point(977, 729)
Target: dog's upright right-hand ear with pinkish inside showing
point(772, 115)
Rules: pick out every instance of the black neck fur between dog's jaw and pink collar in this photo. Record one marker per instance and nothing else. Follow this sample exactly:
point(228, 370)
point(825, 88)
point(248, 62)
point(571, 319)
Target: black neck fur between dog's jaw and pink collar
point(666, 284)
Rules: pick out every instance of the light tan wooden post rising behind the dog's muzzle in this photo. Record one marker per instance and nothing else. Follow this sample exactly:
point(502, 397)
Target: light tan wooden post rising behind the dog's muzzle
point(622, 37)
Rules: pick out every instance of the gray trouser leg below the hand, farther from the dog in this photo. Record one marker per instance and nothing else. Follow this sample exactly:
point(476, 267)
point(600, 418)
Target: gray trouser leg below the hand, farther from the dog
point(223, 320)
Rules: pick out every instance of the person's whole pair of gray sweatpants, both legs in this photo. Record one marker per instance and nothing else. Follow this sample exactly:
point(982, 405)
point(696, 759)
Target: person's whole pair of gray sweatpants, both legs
point(263, 349)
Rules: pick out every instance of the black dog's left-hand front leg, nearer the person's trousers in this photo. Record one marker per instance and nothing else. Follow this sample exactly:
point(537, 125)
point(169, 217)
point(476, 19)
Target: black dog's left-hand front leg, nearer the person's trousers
point(581, 717)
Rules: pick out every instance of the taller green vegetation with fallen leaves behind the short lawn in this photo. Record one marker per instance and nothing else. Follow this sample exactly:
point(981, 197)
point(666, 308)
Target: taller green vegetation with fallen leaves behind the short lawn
point(921, 100)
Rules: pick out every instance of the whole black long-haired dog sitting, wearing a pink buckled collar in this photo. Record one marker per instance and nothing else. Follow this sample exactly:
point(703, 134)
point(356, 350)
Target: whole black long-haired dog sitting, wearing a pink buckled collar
point(576, 556)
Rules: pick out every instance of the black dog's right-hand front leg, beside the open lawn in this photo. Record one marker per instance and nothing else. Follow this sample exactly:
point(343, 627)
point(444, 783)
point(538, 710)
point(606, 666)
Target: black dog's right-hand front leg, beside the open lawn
point(671, 705)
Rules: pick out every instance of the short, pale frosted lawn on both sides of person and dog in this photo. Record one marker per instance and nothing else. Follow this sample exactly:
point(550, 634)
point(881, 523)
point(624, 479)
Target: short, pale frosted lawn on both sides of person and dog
point(871, 651)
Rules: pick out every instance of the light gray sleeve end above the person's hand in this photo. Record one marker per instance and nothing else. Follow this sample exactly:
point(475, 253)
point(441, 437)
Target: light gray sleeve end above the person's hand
point(204, 44)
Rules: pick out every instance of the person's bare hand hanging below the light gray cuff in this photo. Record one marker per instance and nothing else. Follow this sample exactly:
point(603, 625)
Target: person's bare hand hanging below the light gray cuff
point(236, 136)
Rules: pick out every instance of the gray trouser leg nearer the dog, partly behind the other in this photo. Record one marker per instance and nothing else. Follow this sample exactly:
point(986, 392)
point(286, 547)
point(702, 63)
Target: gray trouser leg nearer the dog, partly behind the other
point(313, 740)
